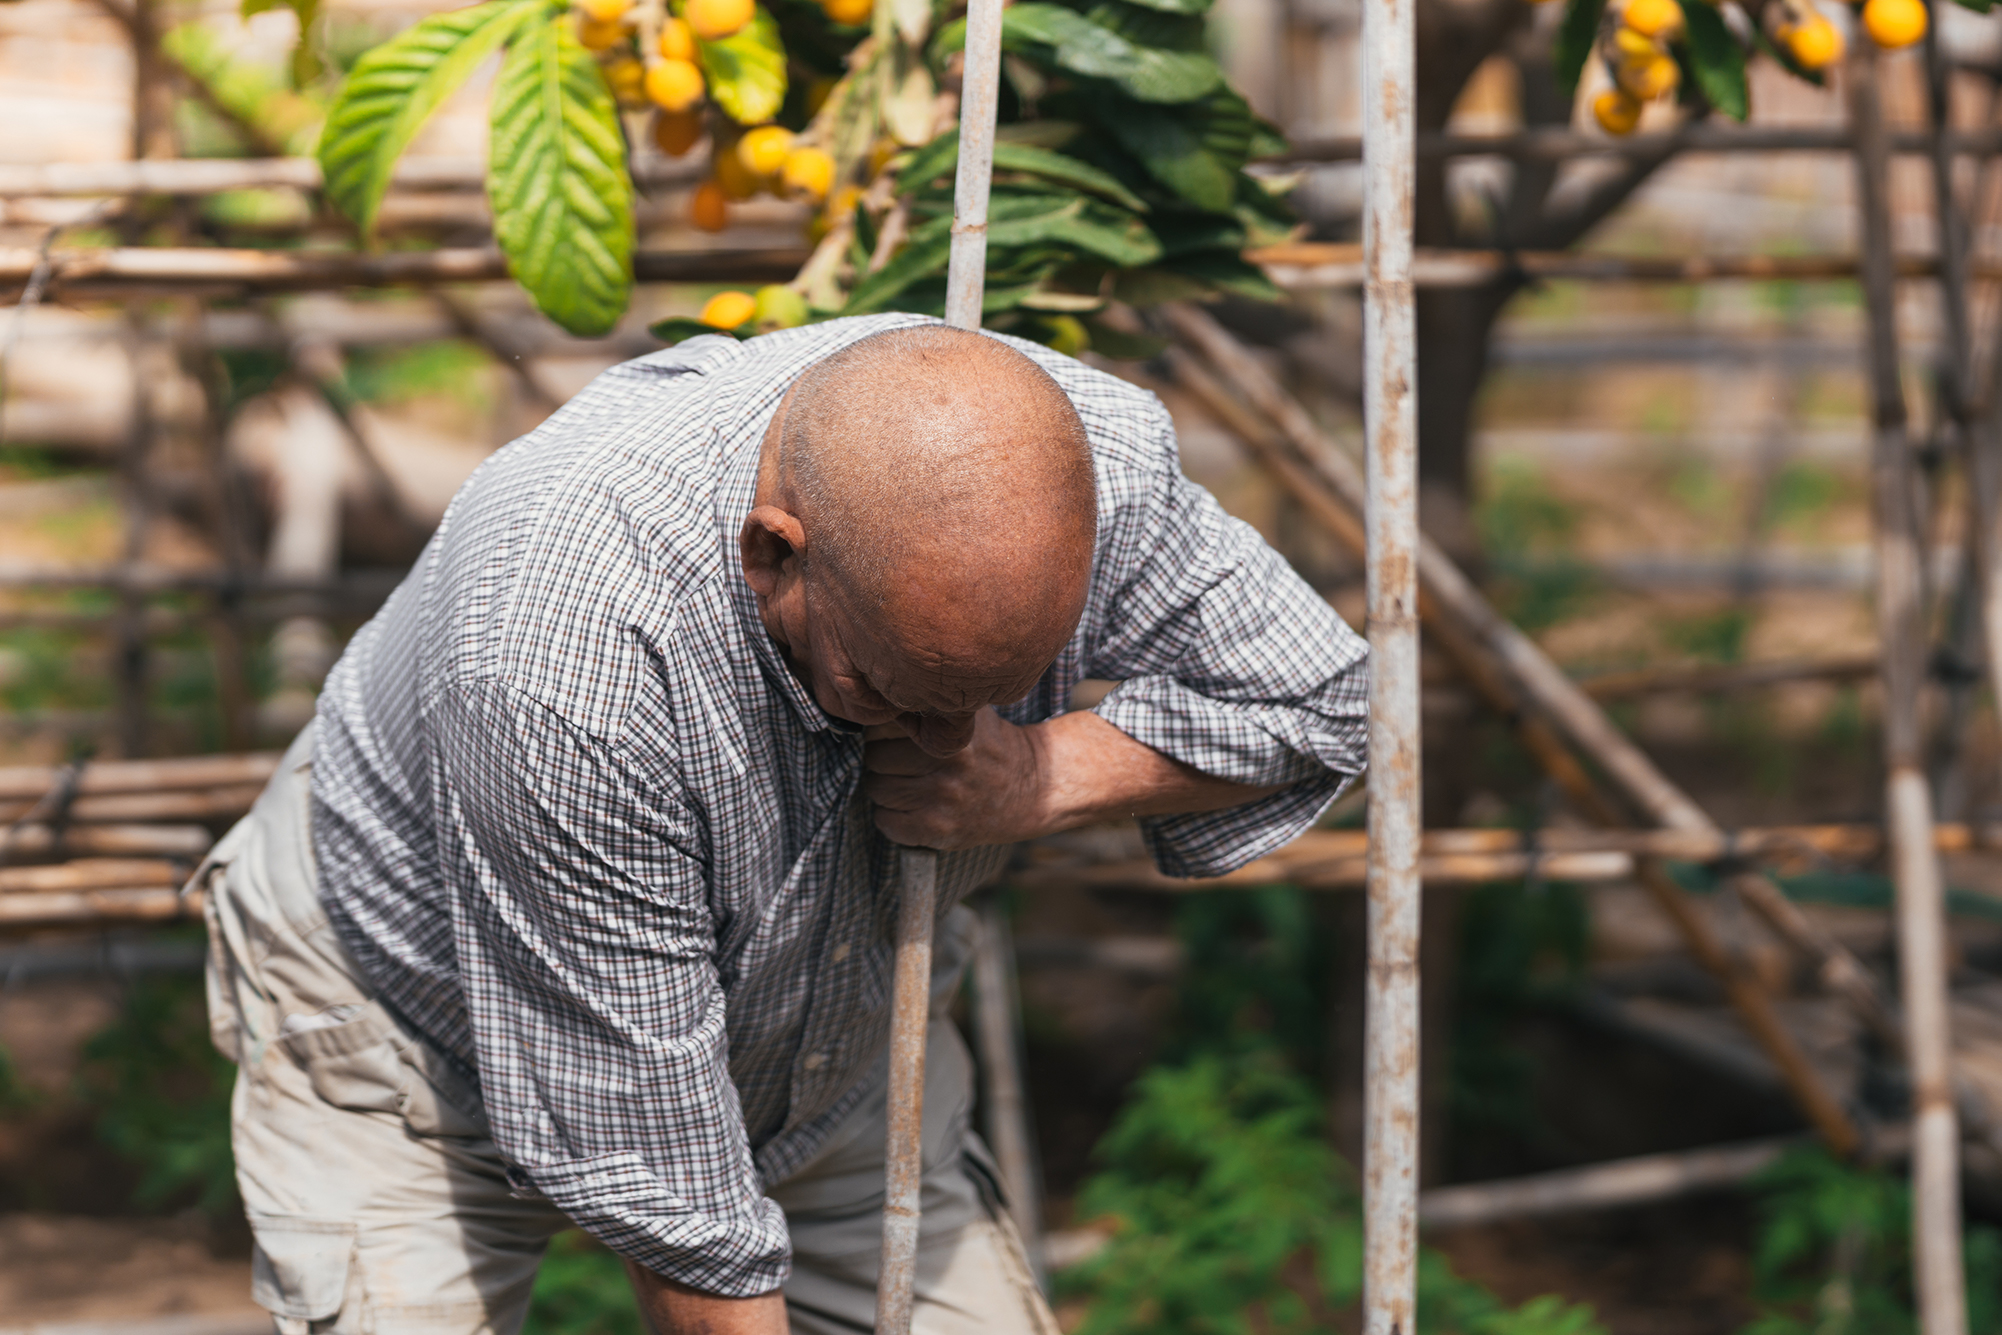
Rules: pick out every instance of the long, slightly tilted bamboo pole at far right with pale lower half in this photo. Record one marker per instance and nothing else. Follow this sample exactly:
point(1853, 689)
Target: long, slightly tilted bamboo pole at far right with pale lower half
point(1937, 1262)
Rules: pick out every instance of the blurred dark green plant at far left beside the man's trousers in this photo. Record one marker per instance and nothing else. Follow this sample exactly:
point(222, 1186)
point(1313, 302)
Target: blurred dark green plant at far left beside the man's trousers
point(163, 1096)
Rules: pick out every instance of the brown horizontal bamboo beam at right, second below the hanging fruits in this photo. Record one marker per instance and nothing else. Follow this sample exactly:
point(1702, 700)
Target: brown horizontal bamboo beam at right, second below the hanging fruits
point(1338, 265)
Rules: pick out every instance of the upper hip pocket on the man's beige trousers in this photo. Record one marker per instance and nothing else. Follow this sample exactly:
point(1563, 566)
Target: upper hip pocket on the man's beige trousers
point(369, 1066)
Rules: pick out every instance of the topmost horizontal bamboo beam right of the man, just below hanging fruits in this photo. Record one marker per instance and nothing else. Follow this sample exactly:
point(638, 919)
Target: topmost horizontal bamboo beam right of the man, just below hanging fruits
point(1699, 137)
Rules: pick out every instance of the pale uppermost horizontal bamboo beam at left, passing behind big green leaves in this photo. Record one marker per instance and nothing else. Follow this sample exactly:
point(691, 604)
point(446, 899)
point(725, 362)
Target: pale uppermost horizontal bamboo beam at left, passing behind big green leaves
point(219, 175)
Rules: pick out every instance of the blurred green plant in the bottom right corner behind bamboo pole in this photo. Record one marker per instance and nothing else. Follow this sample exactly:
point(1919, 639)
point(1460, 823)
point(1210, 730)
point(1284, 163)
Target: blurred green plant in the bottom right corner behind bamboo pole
point(1835, 1254)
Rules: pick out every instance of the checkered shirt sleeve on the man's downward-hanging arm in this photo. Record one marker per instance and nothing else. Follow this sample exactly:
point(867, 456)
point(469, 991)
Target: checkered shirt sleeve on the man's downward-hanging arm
point(588, 956)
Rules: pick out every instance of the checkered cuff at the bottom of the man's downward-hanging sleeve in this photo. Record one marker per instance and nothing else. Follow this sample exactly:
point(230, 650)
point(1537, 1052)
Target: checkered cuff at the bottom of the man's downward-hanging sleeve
point(626, 1206)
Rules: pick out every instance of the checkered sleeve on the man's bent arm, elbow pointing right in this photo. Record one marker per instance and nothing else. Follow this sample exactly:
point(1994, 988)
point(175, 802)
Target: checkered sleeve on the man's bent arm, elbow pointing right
point(1226, 661)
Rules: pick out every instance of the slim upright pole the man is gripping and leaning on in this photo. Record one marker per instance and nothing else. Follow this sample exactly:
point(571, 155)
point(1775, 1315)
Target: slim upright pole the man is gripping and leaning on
point(920, 868)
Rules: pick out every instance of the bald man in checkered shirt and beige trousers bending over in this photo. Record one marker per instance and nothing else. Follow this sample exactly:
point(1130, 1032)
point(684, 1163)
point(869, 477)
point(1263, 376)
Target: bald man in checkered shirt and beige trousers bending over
point(576, 902)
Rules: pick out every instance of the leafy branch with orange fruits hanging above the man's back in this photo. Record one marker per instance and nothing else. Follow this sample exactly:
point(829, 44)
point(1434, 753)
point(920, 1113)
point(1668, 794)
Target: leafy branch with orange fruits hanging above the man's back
point(1120, 169)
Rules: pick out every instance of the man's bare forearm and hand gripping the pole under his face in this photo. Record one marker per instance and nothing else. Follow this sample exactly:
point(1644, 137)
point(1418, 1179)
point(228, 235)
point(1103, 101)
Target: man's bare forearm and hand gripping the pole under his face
point(1016, 784)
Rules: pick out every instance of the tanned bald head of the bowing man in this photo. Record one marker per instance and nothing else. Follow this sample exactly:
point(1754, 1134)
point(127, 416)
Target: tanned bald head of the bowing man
point(946, 511)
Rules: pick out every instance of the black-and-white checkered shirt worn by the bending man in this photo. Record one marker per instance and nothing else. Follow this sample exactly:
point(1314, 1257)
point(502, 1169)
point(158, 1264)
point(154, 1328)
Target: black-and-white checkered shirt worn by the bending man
point(584, 830)
